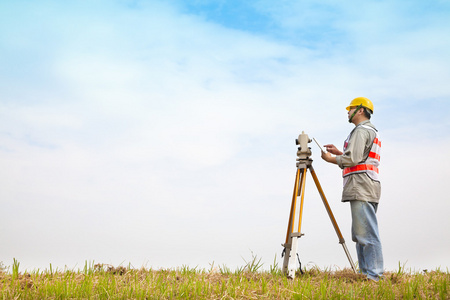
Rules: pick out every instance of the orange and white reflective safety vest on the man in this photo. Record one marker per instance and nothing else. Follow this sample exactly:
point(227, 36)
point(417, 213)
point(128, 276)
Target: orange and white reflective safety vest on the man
point(370, 165)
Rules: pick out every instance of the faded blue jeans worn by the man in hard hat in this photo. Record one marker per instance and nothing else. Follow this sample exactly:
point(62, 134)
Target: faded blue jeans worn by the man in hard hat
point(365, 234)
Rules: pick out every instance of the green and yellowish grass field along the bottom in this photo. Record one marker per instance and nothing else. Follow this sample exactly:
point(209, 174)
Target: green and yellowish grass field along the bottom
point(98, 281)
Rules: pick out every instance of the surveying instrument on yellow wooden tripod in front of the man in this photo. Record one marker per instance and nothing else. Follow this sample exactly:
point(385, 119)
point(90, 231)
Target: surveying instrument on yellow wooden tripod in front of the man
point(304, 162)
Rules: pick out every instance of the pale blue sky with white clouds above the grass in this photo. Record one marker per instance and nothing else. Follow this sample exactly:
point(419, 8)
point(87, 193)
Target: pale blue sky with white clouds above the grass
point(161, 134)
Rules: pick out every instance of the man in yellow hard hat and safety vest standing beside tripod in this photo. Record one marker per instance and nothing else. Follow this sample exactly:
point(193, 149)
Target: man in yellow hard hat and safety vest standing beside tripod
point(359, 160)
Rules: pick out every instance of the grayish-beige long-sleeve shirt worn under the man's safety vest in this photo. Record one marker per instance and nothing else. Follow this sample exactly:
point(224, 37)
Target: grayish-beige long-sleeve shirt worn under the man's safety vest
point(359, 186)
